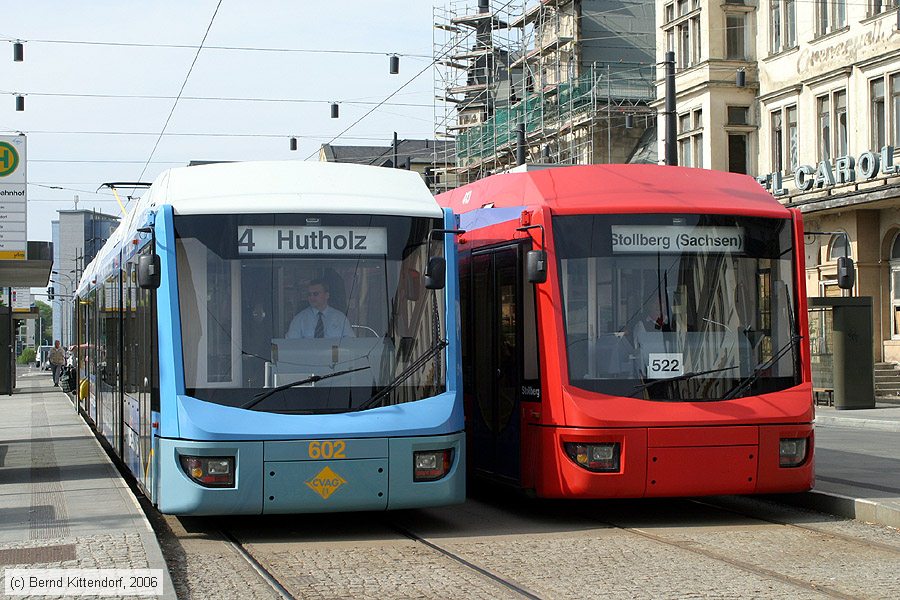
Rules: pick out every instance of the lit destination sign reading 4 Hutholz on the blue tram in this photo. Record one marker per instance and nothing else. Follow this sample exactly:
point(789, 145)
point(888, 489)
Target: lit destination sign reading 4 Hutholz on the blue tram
point(304, 240)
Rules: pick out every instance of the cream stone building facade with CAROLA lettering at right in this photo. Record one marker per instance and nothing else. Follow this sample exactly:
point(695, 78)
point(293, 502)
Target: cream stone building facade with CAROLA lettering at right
point(817, 122)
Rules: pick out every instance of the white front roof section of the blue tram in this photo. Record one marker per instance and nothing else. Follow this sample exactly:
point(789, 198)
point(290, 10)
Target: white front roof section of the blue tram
point(293, 186)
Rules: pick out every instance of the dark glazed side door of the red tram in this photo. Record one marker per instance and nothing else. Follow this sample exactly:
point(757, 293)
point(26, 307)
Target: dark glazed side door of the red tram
point(496, 290)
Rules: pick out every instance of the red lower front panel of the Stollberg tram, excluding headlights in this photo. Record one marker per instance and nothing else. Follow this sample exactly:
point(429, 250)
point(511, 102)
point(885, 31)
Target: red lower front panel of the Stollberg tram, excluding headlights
point(676, 461)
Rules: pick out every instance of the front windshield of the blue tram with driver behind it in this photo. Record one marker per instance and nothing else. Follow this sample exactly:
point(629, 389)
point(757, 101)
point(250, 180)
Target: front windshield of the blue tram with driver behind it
point(335, 303)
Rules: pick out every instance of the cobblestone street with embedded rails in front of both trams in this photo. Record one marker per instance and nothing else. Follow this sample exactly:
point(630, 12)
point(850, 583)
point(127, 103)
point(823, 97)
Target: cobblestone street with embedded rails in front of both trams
point(494, 548)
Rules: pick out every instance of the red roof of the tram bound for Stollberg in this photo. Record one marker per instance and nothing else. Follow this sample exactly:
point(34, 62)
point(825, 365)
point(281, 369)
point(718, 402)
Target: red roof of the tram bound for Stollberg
point(618, 188)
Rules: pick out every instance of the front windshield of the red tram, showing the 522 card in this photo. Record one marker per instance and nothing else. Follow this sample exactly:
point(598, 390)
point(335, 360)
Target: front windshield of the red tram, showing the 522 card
point(678, 307)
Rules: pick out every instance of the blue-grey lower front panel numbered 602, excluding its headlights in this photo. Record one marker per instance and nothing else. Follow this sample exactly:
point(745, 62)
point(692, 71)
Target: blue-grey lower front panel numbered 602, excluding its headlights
point(313, 476)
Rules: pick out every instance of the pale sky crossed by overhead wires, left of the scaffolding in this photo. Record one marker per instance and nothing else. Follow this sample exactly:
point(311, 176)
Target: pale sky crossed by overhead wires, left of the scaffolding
point(90, 66)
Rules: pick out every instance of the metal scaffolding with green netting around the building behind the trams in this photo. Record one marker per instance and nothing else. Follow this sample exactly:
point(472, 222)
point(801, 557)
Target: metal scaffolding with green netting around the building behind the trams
point(505, 63)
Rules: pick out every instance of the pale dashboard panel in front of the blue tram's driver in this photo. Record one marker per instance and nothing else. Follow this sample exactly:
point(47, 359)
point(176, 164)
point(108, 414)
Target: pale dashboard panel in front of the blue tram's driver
point(294, 359)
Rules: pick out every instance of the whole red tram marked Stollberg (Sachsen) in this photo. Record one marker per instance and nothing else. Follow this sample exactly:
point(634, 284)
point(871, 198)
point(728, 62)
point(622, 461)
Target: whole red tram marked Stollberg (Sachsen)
point(634, 330)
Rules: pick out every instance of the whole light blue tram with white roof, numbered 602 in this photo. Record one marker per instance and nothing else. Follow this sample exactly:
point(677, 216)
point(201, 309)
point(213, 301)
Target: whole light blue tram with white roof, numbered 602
point(278, 337)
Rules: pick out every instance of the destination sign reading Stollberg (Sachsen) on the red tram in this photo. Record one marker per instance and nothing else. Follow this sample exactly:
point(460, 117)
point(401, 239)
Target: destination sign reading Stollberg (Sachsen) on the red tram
point(676, 239)
